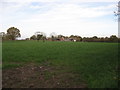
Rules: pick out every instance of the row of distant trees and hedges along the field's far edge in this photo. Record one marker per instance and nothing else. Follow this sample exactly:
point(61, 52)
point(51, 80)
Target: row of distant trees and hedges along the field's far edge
point(14, 33)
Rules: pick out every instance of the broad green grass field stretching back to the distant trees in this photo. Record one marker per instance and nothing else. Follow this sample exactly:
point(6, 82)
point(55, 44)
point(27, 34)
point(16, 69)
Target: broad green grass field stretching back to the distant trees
point(95, 64)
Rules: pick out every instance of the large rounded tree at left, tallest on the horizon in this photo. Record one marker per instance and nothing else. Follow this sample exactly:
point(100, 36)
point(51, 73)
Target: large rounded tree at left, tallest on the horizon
point(13, 33)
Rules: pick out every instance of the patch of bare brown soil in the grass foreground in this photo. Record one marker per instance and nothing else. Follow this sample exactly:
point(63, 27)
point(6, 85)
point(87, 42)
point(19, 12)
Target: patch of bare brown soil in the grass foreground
point(35, 76)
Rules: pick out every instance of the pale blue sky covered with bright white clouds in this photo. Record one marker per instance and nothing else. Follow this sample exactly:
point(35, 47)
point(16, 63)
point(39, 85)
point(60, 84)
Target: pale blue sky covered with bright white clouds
point(86, 18)
